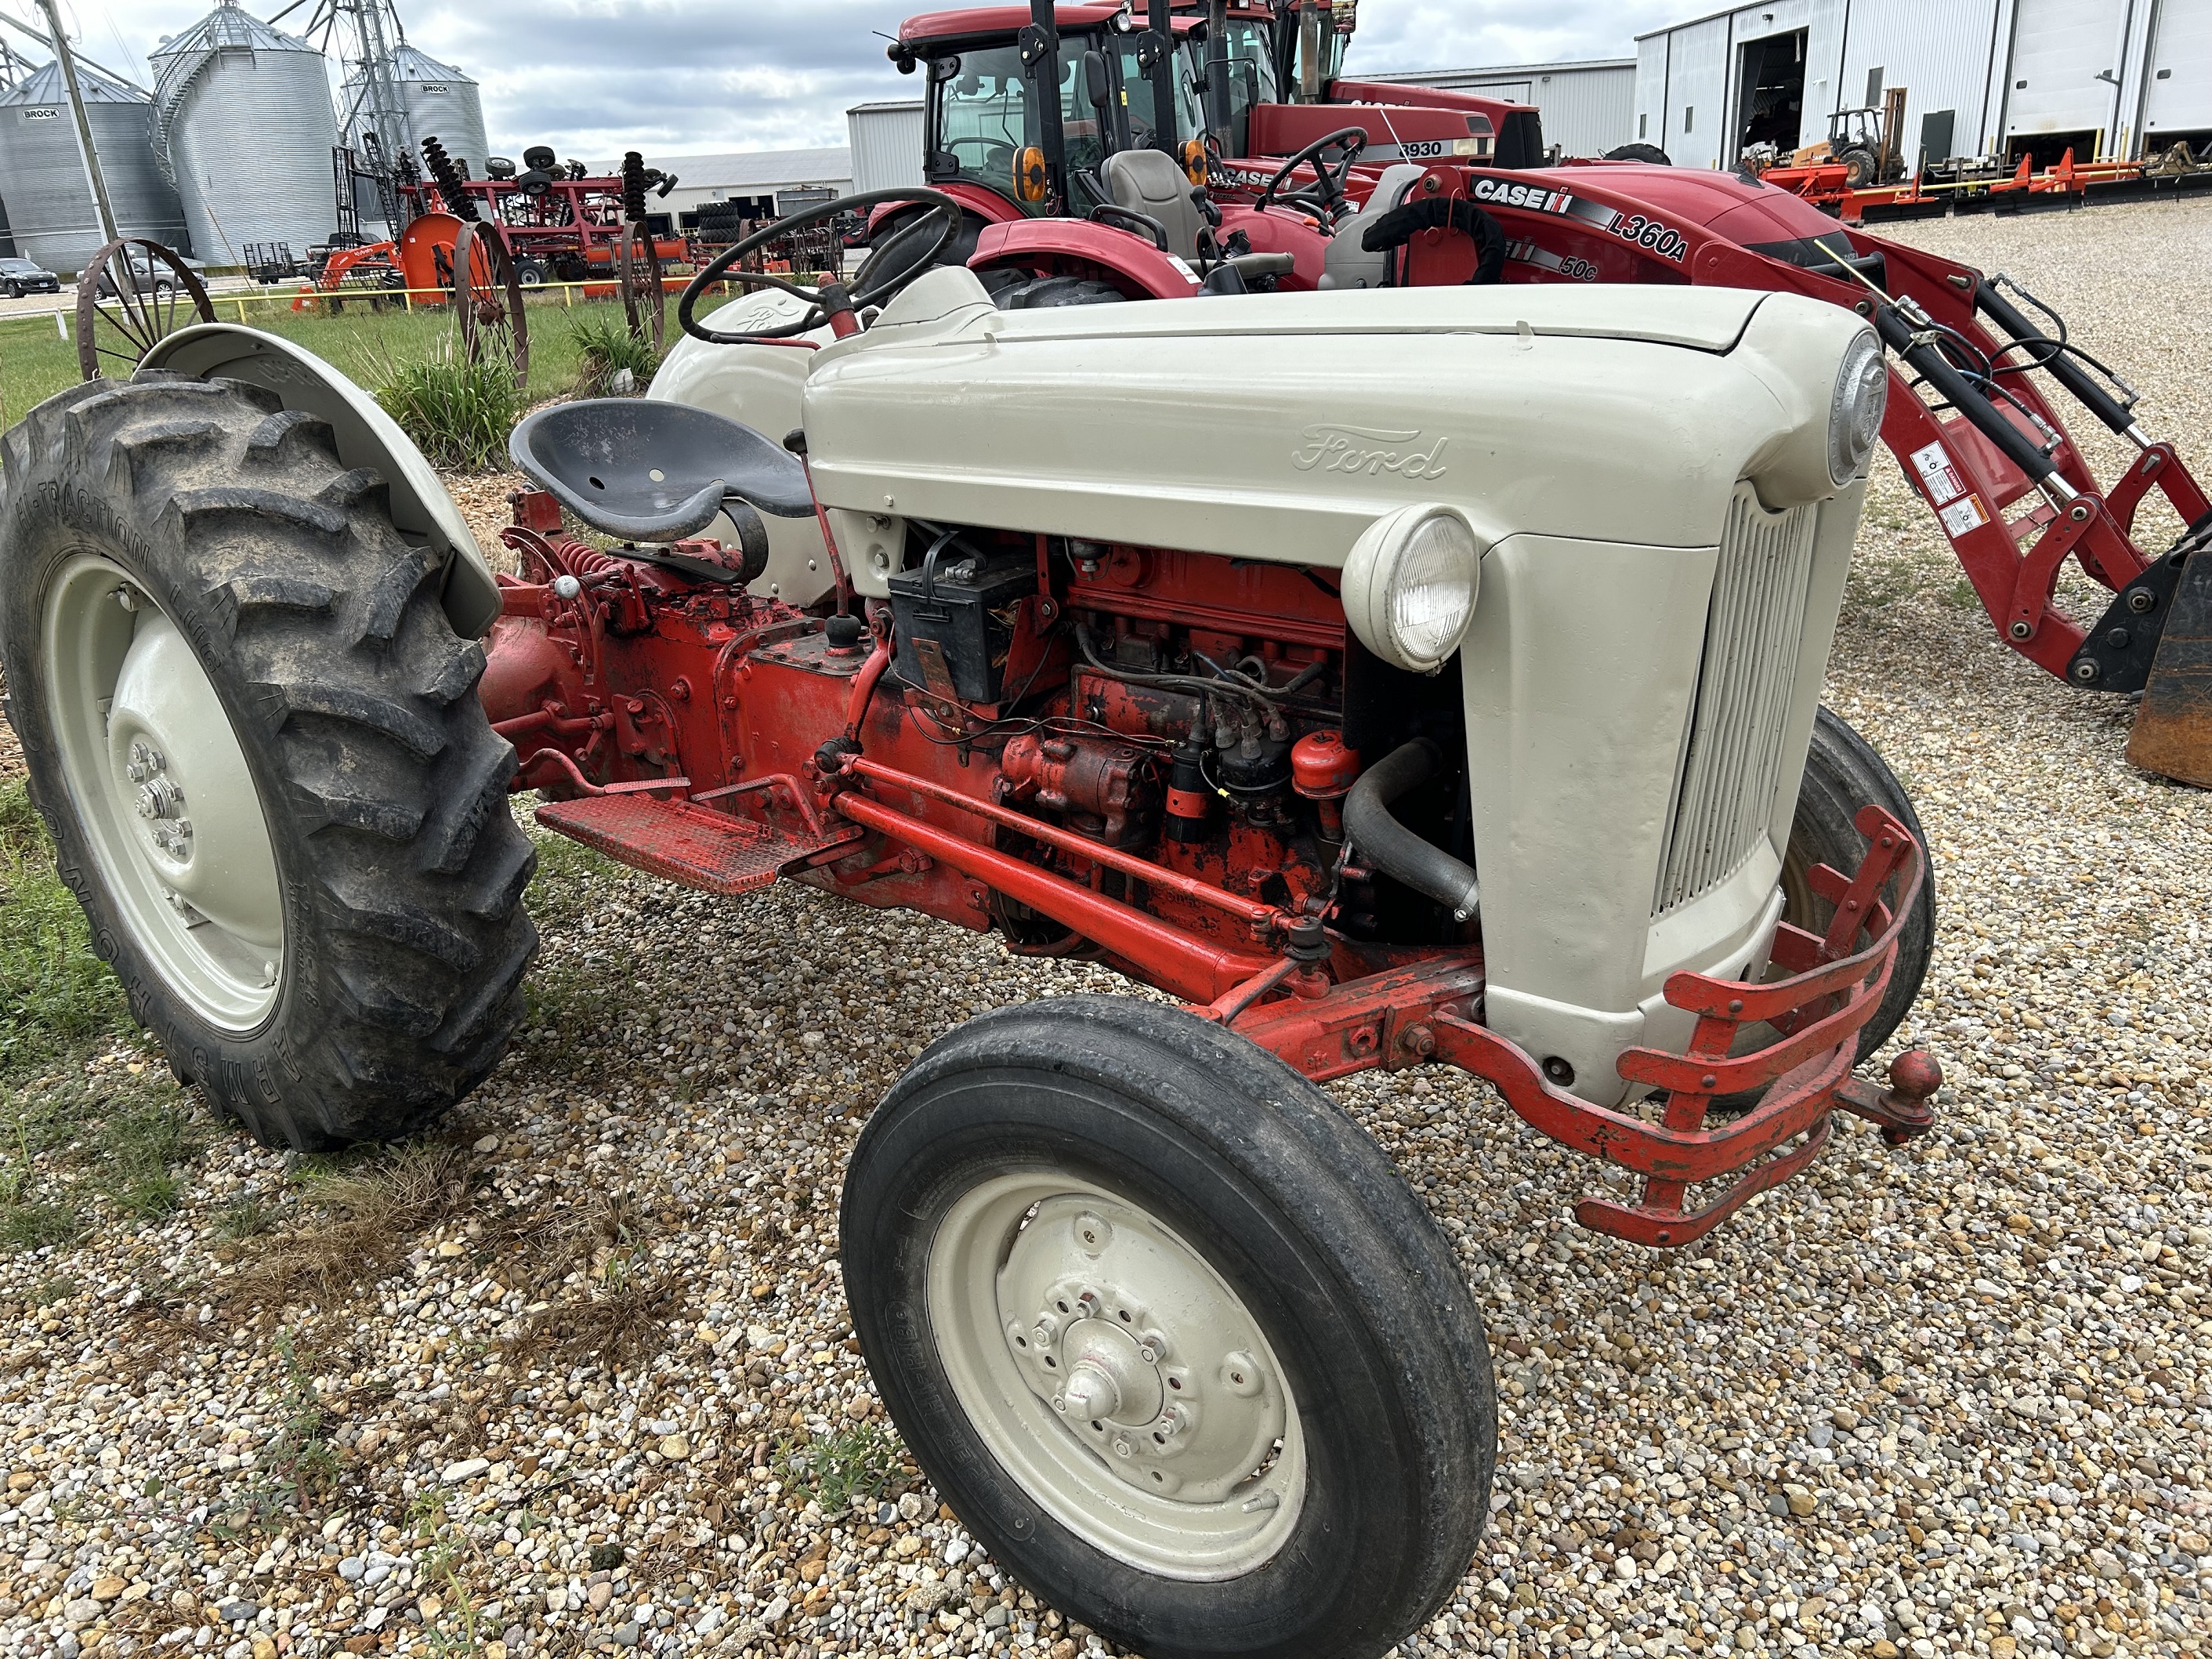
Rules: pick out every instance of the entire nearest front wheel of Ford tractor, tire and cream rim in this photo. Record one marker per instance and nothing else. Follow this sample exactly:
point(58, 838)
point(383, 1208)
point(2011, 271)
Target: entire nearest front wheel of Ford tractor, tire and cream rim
point(1173, 1337)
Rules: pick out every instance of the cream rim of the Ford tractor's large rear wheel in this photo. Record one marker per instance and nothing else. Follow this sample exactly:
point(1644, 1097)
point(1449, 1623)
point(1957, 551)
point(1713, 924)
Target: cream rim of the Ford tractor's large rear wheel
point(163, 791)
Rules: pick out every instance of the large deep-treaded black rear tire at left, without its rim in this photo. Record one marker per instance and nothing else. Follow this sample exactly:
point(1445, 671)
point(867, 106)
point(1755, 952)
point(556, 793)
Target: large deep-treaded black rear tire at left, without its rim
point(355, 702)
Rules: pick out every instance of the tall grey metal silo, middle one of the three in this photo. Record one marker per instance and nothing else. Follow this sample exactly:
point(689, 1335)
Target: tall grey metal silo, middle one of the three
point(244, 125)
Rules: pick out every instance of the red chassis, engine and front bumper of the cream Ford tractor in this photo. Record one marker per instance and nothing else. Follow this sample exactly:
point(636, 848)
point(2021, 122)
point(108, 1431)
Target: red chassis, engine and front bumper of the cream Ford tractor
point(720, 740)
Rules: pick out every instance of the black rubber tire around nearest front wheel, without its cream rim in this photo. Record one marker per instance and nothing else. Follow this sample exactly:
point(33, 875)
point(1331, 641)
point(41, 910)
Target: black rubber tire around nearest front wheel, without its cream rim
point(1311, 1224)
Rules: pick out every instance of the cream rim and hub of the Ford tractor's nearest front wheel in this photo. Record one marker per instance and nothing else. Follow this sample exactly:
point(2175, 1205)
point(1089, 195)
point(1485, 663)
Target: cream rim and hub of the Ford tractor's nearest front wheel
point(1116, 1377)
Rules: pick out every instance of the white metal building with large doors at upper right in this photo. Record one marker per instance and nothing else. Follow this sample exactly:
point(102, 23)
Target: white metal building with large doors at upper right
point(2003, 79)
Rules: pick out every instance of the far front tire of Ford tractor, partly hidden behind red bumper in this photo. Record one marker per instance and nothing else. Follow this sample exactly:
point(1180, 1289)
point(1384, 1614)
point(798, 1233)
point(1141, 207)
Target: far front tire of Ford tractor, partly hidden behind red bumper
point(1841, 775)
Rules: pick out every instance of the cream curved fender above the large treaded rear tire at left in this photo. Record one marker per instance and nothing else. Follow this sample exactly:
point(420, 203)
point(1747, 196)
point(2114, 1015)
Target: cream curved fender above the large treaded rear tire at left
point(421, 508)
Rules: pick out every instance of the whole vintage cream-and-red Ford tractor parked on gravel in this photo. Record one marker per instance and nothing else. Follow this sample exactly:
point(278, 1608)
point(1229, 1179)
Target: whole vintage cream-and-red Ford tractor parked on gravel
point(1392, 680)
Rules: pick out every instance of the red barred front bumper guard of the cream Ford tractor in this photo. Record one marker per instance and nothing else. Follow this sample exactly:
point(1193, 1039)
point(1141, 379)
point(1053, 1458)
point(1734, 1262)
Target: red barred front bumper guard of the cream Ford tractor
point(1833, 992)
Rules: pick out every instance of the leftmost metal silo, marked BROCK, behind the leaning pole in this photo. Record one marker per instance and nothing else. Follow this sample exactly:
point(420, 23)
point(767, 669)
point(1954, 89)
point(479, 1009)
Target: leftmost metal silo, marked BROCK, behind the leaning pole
point(50, 202)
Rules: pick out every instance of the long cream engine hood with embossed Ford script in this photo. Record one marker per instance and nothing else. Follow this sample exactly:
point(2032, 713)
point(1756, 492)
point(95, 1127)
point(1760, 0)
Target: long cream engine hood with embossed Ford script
point(1280, 426)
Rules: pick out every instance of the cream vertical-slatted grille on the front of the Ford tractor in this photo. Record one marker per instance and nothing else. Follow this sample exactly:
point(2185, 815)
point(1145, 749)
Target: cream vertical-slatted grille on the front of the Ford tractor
point(1755, 627)
